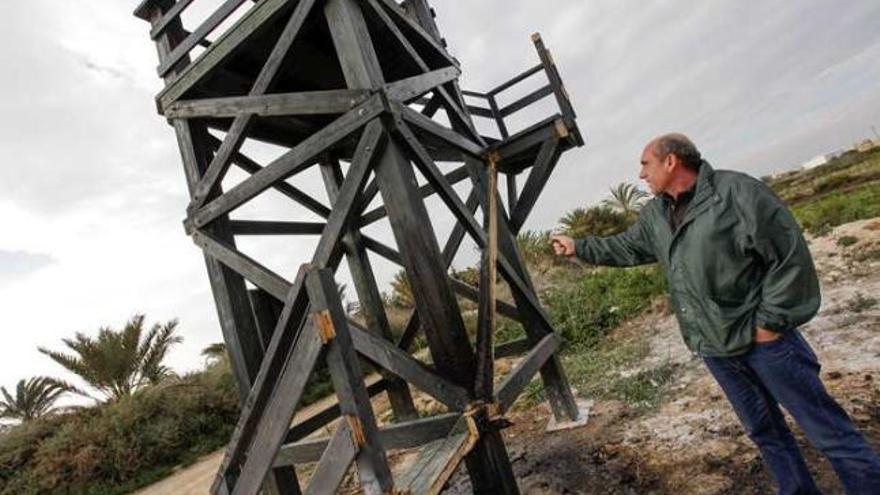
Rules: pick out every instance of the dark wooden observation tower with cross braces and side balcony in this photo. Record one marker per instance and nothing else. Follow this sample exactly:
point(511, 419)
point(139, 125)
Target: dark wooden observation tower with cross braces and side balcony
point(365, 91)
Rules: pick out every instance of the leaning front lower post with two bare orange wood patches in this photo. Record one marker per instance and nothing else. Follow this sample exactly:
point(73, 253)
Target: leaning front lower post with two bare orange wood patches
point(373, 471)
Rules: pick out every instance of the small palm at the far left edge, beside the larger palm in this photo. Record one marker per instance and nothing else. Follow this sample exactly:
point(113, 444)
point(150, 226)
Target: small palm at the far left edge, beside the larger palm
point(34, 398)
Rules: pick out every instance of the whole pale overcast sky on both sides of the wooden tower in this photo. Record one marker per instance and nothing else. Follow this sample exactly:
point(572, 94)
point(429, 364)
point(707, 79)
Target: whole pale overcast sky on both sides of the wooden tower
point(92, 192)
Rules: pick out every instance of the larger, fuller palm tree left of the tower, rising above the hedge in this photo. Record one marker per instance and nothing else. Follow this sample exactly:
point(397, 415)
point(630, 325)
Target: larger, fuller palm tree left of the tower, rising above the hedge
point(118, 363)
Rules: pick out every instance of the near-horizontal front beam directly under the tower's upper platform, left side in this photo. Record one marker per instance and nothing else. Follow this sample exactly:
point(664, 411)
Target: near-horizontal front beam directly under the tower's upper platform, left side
point(280, 104)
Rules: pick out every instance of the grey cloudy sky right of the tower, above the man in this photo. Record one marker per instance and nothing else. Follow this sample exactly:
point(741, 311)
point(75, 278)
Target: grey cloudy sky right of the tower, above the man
point(760, 86)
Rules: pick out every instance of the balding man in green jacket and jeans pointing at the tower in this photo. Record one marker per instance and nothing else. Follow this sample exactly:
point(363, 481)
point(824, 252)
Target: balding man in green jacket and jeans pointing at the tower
point(741, 281)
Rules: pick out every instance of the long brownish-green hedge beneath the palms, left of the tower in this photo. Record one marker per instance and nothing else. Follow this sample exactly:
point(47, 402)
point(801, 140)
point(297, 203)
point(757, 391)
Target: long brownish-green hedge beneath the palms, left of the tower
point(113, 448)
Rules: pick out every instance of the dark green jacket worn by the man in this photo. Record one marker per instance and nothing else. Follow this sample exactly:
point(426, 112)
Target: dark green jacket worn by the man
point(737, 261)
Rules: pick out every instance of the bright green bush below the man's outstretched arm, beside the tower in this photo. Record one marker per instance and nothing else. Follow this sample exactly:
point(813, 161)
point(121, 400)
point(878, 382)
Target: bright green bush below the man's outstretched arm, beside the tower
point(585, 312)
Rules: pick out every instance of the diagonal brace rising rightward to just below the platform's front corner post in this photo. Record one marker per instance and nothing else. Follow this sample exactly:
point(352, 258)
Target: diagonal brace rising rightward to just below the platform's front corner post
point(293, 161)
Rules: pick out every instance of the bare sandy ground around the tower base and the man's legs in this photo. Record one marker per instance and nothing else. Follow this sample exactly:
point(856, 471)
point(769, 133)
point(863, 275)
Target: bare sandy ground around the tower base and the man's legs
point(692, 444)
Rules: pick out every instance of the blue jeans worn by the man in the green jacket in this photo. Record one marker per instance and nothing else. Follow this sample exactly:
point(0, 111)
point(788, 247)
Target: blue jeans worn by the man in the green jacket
point(785, 371)
